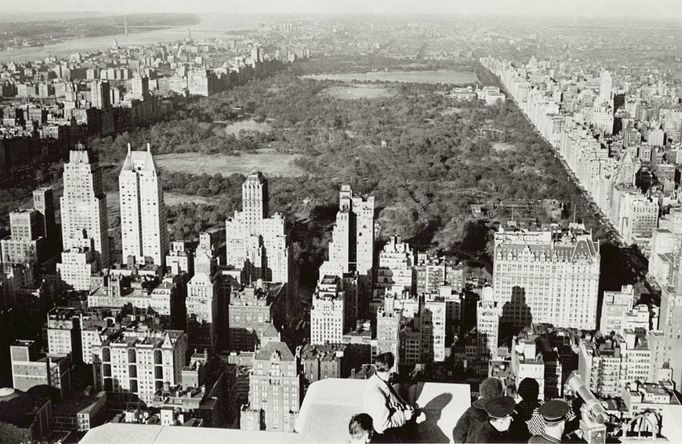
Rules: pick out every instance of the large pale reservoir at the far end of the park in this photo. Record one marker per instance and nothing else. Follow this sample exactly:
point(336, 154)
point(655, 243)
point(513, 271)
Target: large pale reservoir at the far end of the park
point(437, 76)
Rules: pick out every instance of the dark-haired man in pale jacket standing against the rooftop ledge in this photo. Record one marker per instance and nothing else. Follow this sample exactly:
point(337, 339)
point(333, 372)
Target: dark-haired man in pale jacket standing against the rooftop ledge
point(394, 419)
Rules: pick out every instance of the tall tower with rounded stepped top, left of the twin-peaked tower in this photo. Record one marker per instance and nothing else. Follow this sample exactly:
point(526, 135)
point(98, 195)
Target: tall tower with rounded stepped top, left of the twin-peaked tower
point(84, 205)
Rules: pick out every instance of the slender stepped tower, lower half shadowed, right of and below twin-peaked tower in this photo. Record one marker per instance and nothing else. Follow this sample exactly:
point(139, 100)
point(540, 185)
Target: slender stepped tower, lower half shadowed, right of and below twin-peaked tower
point(202, 298)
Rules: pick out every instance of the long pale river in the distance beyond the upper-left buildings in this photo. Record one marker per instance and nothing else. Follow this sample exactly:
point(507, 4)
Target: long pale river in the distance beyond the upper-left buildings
point(214, 25)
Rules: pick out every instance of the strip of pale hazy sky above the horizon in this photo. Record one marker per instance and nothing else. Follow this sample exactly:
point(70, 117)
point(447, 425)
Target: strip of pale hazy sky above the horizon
point(597, 8)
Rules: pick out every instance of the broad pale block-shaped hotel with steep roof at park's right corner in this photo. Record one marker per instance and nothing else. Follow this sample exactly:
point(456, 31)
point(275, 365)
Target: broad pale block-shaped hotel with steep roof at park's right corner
point(547, 277)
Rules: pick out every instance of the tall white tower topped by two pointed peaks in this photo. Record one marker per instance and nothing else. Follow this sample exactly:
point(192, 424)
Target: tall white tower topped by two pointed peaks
point(143, 214)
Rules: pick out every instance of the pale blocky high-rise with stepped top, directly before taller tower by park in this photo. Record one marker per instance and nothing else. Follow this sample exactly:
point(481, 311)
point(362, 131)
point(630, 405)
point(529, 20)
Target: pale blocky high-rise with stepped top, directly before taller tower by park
point(327, 312)
